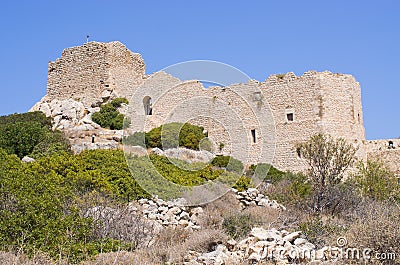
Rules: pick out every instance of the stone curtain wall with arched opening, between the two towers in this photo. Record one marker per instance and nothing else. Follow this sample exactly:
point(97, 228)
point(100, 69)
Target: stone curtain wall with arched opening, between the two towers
point(227, 116)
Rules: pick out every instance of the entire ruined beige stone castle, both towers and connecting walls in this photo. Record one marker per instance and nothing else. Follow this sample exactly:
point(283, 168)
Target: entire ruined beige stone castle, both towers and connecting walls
point(292, 108)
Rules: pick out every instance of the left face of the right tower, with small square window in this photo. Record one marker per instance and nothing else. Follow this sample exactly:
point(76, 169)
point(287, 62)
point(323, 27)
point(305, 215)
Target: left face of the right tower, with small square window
point(298, 96)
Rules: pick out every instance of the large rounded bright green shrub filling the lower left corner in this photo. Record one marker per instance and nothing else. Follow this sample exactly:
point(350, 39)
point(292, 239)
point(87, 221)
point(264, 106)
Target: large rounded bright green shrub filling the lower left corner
point(37, 212)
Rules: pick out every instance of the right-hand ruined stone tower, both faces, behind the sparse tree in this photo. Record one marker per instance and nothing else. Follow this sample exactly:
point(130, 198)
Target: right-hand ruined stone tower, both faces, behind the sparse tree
point(314, 102)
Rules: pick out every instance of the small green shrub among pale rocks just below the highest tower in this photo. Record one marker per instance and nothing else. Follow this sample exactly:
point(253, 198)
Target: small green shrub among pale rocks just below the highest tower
point(109, 116)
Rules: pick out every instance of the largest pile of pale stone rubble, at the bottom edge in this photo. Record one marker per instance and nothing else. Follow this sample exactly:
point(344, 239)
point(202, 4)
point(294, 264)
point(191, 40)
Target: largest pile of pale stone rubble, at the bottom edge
point(279, 247)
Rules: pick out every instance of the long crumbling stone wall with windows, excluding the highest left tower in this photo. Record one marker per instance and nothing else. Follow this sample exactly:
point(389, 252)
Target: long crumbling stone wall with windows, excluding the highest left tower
point(230, 114)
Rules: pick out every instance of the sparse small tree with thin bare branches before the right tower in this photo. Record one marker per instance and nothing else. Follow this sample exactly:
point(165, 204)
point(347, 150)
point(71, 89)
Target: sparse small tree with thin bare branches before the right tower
point(327, 159)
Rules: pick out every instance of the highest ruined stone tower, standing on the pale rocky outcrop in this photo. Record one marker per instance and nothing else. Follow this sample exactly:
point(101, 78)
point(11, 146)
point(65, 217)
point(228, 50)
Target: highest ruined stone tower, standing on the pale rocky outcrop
point(94, 71)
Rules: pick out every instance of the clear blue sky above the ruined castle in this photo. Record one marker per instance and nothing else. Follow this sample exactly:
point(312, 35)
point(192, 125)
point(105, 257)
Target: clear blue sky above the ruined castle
point(357, 37)
